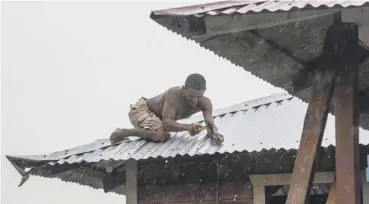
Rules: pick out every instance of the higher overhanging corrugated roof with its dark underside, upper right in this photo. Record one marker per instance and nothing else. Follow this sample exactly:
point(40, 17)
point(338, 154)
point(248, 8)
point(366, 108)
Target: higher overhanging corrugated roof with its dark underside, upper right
point(249, 49)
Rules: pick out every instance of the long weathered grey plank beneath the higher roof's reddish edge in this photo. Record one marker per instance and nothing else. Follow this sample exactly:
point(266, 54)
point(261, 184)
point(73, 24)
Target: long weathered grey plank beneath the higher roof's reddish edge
point(223, 24)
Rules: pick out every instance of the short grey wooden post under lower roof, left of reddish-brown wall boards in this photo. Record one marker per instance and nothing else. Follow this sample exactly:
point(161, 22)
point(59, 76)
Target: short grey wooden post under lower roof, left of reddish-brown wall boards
point(131, 182)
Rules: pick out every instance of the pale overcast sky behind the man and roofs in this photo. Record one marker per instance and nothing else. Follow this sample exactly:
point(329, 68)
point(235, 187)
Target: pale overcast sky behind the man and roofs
point(70, 72)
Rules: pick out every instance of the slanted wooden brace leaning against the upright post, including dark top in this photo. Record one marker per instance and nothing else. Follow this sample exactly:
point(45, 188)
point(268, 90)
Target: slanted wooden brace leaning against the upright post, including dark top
point(316, 116)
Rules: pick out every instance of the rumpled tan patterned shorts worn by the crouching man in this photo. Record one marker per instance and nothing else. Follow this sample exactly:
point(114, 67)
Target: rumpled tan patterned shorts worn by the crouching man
point(141, 117)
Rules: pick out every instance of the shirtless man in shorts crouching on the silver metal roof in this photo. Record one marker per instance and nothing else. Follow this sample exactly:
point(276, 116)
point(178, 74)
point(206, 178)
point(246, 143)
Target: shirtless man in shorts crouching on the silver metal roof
point(154, 118)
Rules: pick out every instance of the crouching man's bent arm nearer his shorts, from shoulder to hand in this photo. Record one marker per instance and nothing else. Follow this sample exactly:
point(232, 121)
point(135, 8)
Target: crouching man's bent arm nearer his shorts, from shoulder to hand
point(169, 113)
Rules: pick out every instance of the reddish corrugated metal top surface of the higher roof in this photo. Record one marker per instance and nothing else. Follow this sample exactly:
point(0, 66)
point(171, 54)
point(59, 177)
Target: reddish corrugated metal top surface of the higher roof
point(243, 7)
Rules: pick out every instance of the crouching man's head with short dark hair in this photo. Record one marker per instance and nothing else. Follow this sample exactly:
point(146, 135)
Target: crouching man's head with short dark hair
point(194, 88)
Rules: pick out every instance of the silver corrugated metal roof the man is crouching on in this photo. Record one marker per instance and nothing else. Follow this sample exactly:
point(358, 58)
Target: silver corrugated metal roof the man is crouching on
point(271, 122)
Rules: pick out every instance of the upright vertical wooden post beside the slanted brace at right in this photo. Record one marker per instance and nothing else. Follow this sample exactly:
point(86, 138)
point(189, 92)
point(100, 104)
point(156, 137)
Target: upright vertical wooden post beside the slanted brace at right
point(346, 113)
